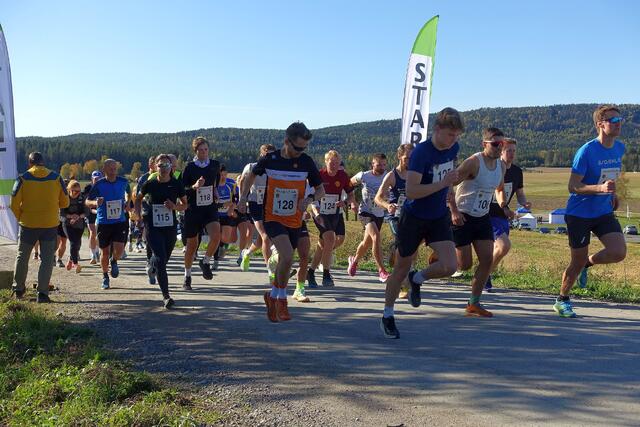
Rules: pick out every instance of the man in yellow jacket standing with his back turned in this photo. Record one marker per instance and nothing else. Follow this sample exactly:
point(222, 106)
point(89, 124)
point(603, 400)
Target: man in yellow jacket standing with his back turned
point(36, 200)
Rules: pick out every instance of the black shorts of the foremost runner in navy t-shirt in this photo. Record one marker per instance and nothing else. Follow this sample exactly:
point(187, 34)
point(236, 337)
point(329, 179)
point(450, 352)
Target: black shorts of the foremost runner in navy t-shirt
point(413, 230)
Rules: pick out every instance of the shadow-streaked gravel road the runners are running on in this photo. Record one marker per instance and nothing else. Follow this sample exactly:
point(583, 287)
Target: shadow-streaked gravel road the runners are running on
point(331, 366)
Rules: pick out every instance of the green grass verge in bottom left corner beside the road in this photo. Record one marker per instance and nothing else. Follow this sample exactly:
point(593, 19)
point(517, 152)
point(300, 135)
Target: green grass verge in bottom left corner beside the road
point(53, 373)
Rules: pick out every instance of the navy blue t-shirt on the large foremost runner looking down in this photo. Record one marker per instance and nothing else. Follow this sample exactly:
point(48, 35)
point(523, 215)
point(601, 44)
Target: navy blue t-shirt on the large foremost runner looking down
point(433, 164)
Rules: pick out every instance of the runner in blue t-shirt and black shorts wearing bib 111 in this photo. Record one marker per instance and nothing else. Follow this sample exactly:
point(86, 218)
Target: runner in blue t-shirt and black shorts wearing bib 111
point(110, 196)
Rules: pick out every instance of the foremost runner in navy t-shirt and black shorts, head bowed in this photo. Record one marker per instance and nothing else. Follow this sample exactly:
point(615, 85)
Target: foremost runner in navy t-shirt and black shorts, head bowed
point(425, 215)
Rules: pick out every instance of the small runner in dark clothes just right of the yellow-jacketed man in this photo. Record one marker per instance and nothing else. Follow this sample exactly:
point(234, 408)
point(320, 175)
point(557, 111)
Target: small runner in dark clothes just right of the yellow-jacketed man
point(73, 224)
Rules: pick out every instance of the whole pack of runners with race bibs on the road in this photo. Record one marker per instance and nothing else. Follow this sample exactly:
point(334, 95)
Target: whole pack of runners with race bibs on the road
point(455, 209)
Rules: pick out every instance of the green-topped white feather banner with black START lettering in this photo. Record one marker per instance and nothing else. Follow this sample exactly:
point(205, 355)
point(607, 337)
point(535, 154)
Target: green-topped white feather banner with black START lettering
point(417, 90)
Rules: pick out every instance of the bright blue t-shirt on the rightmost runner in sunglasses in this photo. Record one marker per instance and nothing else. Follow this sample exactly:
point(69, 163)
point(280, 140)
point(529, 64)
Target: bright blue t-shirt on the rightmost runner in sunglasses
point(597, 164)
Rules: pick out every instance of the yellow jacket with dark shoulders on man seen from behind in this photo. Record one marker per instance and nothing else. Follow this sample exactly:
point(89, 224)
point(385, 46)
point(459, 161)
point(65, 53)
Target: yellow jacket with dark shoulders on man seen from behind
point(37, 197)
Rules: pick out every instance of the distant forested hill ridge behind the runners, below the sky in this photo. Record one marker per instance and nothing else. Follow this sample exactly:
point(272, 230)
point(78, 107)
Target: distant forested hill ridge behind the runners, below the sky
point(547, 136)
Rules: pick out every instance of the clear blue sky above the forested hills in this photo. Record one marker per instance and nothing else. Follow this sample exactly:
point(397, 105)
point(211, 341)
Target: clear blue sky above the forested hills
point(165, 66)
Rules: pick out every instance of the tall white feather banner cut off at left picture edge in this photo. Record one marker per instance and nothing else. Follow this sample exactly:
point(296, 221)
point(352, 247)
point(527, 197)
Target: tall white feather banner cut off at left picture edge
point(8, 165)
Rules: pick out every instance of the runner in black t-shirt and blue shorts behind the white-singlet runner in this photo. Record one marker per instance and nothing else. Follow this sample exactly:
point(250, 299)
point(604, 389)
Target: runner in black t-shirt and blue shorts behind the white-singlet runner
point(500, 216)
